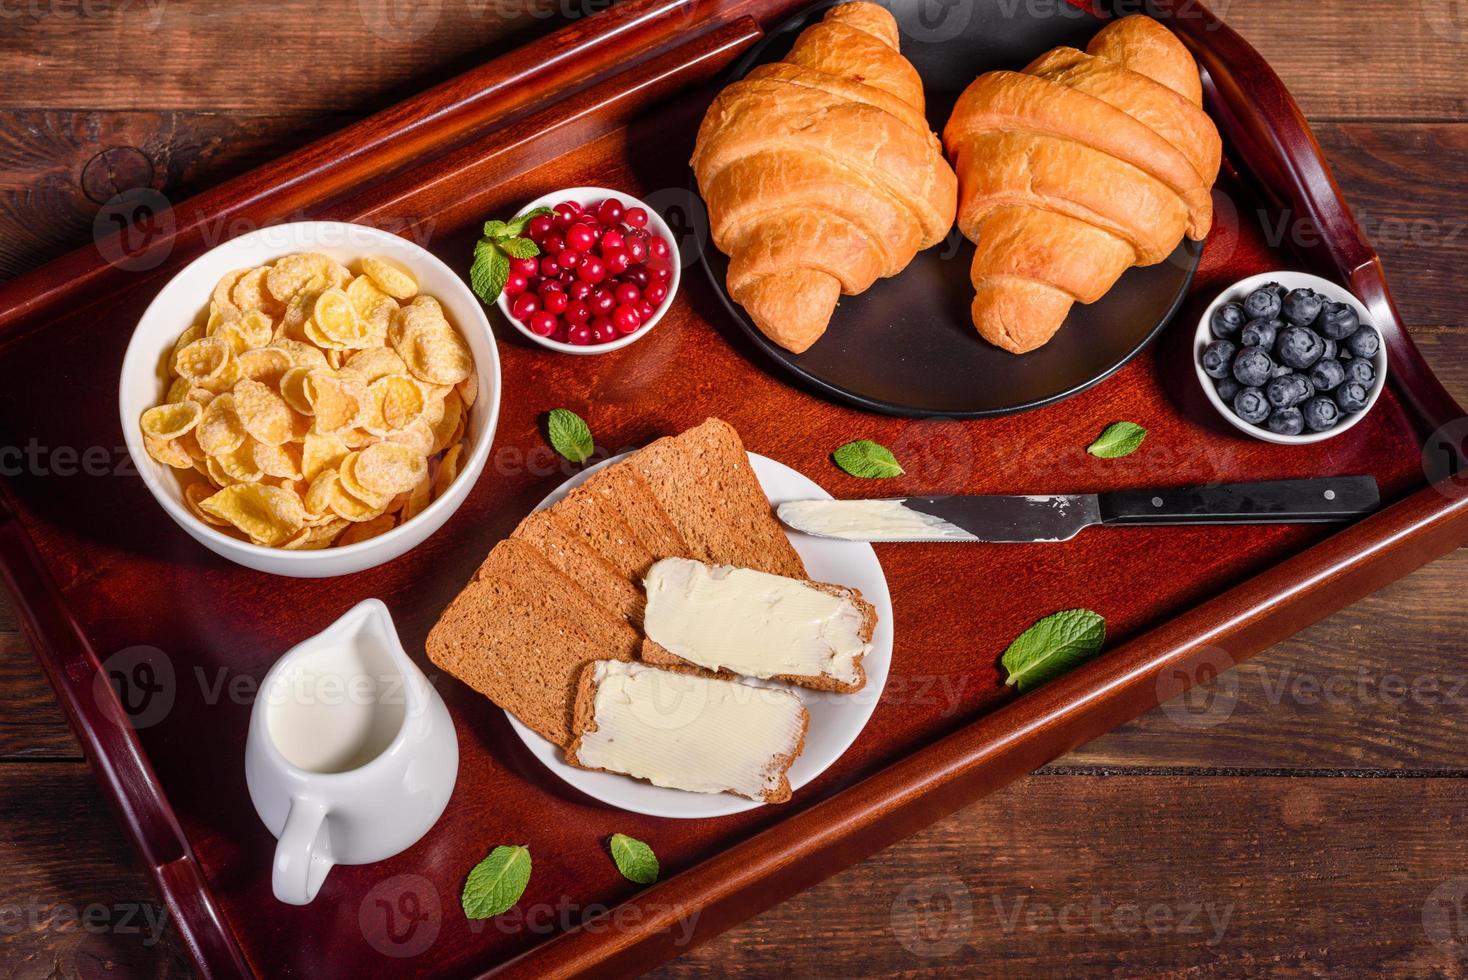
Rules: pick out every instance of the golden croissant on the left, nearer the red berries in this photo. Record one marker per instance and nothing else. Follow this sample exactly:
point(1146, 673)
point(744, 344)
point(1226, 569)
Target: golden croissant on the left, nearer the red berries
point(821, 174)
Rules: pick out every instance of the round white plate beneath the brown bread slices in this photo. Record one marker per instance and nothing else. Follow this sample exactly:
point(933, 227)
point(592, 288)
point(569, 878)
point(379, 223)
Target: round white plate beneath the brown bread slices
point(836, 720)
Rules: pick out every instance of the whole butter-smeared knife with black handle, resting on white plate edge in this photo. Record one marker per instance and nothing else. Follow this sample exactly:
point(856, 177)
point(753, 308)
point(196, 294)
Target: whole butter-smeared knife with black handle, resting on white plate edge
point(1012, 520)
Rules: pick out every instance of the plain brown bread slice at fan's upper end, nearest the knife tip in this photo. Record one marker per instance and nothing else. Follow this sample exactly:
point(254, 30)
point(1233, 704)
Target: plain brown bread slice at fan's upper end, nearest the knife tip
point(705, 485)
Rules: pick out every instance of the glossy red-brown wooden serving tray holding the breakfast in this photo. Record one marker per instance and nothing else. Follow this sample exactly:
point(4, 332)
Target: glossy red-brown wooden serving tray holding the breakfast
point(109, 589)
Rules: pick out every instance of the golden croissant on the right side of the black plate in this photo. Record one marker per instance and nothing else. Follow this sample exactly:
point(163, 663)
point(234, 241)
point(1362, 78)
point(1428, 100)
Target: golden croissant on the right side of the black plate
point(1077, 169)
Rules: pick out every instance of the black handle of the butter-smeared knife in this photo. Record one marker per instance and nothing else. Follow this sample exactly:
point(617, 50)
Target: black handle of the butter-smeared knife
point(1275, 502)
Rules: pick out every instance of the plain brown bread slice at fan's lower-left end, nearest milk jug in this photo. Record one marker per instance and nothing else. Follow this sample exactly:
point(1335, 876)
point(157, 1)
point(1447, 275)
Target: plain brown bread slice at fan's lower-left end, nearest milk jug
point(520, 635)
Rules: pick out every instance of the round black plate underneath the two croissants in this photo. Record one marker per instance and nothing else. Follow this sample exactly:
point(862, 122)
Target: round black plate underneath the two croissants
point(908, 347)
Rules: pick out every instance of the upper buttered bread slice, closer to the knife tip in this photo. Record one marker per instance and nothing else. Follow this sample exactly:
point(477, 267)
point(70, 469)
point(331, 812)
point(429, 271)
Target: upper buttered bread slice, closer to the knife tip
point(761, 626)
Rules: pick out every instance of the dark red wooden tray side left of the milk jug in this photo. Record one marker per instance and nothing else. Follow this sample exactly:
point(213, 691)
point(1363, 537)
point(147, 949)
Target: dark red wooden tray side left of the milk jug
point(117, 756)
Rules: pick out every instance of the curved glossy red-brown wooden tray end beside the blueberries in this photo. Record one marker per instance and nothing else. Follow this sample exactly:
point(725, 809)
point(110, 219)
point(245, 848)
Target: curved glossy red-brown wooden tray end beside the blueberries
point(1268, 137)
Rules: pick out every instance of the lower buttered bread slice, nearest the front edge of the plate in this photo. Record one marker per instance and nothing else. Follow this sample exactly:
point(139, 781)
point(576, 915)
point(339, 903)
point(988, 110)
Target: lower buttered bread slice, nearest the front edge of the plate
point(686, 730)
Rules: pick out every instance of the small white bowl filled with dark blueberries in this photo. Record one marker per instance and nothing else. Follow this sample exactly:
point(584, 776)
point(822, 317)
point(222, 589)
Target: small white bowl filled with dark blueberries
point(1290, 359)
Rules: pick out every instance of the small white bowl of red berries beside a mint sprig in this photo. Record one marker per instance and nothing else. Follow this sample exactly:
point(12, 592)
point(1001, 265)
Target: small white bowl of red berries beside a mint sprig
point(607, 272)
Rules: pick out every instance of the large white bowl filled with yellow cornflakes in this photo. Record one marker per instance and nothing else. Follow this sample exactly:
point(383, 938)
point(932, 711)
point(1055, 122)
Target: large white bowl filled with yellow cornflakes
point(313, 398)
